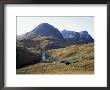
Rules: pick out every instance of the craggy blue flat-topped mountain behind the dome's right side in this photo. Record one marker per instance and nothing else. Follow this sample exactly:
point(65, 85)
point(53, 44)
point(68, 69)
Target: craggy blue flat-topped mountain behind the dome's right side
point(73, 37)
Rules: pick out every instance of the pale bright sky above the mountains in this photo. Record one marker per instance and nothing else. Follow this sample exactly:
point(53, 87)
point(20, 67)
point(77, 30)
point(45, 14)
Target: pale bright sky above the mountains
point(71, 23)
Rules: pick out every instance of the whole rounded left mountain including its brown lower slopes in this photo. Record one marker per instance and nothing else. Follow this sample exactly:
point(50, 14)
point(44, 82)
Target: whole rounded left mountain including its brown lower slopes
point(42, 36)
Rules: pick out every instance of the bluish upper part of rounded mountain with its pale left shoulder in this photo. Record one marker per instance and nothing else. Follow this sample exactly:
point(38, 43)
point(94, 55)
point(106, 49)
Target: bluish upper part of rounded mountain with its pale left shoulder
point(44, 29)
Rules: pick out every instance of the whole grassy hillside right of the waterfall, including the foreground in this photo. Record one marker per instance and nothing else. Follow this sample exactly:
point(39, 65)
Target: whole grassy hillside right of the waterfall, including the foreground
point(74, 59)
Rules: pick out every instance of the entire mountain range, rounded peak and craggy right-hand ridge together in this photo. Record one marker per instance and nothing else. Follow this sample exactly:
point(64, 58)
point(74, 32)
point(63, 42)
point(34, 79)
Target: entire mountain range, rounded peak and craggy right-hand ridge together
point(49, 37)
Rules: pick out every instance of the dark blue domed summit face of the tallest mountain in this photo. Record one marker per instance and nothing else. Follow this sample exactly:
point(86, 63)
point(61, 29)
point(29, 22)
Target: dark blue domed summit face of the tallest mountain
point(48, 30)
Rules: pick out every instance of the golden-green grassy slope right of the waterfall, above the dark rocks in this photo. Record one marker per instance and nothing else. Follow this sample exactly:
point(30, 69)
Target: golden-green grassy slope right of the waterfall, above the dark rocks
point(74, 52)
